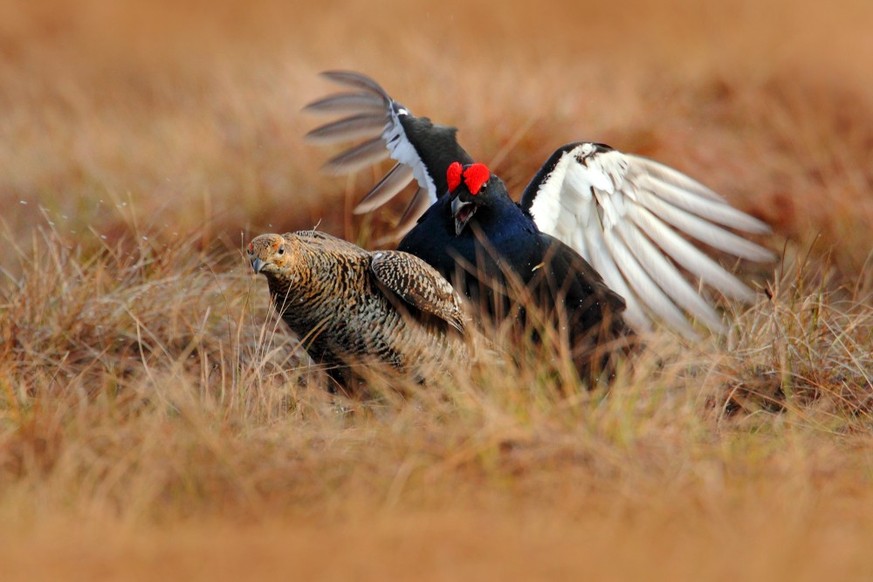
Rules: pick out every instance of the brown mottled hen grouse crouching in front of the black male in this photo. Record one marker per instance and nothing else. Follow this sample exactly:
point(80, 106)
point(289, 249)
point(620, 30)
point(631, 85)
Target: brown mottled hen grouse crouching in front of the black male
point(353, 307)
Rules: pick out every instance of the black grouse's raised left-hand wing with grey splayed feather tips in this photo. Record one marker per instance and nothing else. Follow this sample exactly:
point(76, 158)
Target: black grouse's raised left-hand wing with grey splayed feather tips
point(423, 151)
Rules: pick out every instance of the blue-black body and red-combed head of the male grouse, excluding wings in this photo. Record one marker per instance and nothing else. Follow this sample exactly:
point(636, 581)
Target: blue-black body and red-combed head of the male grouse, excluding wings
point(477, 237)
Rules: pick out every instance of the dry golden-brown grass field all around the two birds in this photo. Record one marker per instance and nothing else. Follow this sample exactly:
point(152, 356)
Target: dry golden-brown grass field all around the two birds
point(157, 422)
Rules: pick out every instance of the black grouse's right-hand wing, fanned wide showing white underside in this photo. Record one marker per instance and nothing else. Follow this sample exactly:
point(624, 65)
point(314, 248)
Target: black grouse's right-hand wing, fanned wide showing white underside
point(631, 218)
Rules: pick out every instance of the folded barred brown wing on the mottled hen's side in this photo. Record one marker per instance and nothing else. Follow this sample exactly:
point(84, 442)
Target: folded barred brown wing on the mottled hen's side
point(418, 284)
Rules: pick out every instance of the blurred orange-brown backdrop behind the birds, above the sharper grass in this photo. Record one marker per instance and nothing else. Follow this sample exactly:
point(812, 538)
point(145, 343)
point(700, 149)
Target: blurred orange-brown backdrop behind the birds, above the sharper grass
point(162, 118)
